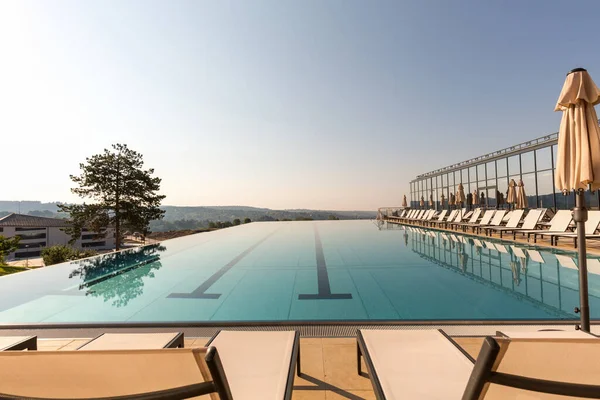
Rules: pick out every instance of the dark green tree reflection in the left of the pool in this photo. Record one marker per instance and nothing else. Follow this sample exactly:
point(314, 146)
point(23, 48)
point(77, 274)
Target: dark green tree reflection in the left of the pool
point(118, 276)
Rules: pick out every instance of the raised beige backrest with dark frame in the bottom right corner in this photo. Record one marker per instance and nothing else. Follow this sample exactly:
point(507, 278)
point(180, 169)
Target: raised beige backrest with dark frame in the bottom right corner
point(511, 368)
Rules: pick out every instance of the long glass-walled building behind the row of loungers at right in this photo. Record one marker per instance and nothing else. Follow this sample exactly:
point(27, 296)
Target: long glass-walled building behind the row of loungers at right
point(489, 175)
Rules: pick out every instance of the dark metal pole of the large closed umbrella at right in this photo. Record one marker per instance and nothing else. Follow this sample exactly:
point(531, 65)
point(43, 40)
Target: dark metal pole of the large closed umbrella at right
point(580, 216)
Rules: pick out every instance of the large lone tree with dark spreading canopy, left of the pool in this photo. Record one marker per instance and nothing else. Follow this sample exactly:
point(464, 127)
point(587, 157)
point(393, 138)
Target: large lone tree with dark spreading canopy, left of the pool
point(123, 195)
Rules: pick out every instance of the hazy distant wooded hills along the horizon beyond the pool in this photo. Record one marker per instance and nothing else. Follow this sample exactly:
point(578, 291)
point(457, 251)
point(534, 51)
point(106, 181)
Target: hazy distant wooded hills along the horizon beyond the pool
point(197, 217)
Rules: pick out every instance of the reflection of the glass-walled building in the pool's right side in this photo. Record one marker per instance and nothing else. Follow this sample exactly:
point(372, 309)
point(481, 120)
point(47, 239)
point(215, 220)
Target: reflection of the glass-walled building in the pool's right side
point(544, 284)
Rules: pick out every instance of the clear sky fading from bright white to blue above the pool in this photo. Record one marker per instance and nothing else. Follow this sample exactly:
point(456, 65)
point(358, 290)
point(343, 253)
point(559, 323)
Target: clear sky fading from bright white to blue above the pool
point(281, 104)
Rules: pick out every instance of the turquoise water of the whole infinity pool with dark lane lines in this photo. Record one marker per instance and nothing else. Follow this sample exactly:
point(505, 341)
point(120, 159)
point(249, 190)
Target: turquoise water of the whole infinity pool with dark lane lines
point(299, 271)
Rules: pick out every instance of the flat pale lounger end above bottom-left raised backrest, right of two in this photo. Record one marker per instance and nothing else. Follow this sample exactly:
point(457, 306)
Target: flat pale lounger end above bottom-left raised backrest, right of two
point(131, 341)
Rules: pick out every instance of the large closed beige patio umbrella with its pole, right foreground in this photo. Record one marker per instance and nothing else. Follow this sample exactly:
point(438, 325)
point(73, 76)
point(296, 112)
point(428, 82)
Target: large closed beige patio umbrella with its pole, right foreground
point(578, 161)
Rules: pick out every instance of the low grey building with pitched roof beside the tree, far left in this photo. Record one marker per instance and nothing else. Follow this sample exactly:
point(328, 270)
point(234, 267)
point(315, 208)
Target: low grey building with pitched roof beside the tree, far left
point(39, 232)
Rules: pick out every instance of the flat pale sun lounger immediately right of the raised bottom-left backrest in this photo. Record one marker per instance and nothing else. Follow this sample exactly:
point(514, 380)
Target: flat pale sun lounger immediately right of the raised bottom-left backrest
point(259, 365)
